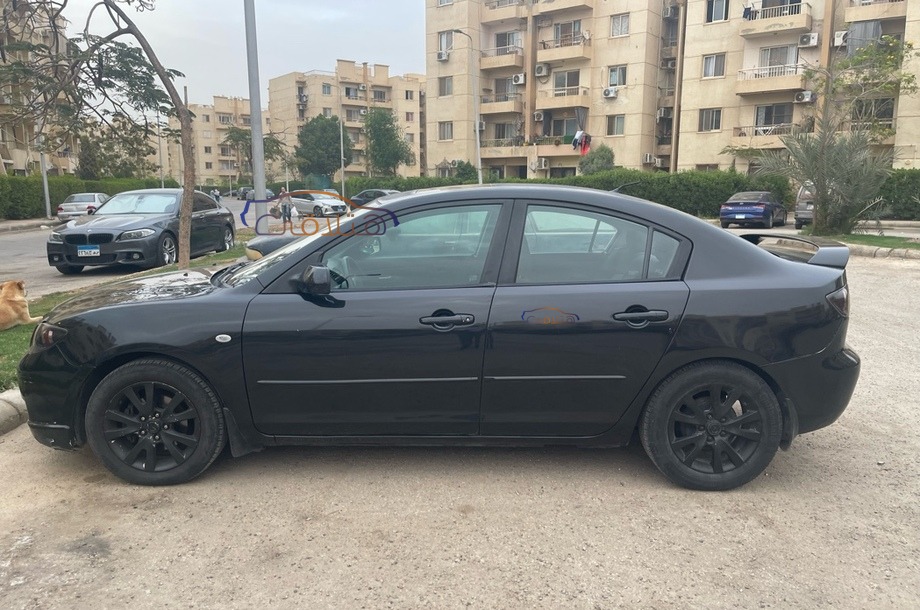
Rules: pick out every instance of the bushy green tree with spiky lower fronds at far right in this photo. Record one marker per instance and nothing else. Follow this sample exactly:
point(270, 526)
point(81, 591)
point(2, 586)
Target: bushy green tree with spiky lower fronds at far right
point(838, 152)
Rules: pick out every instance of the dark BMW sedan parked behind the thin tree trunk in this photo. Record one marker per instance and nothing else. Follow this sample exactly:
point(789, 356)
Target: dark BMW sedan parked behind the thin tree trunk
point(139, 228)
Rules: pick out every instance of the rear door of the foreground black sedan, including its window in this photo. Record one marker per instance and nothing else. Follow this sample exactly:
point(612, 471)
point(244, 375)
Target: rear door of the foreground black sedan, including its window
point(586, 306)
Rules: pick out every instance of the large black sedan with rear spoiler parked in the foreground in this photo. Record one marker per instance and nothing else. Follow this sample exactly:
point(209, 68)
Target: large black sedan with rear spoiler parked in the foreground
point(500, 315)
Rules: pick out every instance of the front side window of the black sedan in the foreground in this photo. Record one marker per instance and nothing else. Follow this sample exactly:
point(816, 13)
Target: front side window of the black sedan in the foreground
point(441, 248)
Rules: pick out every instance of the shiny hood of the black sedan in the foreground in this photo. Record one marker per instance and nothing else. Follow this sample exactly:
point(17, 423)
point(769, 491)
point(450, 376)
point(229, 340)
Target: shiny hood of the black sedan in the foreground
point(161, 287)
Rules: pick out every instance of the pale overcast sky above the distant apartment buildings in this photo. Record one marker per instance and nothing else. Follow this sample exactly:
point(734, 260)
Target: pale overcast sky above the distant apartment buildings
point(206, 39)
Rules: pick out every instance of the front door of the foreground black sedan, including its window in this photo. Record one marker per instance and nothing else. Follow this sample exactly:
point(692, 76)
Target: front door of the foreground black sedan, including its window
point(397, 347)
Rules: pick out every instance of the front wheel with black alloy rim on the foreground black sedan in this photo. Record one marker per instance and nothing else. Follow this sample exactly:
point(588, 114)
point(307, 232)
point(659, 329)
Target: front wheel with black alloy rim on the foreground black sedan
point(155, 422)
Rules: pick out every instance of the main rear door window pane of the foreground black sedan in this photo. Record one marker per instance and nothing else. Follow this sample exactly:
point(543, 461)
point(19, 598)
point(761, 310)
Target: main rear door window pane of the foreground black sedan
point(564, 246)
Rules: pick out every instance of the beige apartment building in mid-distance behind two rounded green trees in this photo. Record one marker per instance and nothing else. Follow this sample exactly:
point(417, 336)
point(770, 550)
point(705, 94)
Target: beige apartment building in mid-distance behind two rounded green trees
point(349, 92)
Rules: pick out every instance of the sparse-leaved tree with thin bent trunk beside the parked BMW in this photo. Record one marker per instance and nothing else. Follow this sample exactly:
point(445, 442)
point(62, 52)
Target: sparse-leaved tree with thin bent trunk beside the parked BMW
point(68, 84)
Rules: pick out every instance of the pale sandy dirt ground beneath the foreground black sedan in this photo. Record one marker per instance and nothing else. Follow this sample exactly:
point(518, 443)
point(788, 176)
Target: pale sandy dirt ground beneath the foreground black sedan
point(835, 522)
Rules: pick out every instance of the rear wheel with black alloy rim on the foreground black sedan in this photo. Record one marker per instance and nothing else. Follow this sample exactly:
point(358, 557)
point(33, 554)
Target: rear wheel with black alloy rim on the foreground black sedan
point(712, 447)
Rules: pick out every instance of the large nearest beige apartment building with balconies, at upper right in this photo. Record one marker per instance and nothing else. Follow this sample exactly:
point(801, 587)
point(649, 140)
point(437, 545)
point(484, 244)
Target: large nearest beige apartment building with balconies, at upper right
point(667, 84)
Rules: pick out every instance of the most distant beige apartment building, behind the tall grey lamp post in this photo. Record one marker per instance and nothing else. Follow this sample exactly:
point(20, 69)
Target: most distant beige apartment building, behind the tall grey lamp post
point(216, 163)
